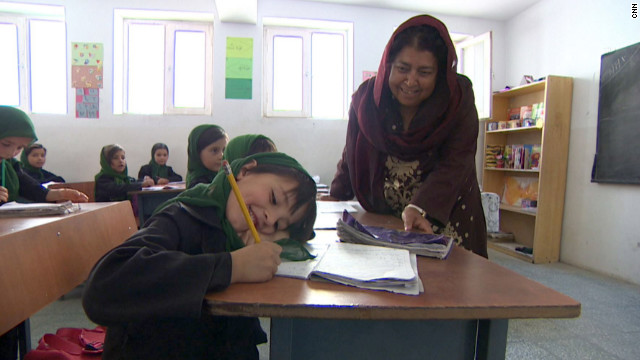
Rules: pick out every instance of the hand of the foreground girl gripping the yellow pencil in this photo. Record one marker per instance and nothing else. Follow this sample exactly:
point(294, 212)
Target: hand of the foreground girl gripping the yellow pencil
point(255, 263)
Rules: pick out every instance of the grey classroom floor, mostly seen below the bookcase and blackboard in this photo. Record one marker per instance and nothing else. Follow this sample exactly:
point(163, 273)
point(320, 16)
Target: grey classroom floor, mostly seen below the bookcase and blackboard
point(608, 328)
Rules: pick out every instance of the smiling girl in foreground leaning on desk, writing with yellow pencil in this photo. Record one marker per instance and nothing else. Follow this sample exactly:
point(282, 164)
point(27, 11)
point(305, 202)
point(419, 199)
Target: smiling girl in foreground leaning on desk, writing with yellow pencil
point(150, 290)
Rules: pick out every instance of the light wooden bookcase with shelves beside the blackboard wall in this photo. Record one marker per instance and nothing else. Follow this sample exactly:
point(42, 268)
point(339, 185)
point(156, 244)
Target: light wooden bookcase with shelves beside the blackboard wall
point(538, 228)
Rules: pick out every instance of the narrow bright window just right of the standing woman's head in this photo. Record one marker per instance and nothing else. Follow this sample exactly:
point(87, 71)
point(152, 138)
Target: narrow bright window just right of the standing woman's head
point(474, 61)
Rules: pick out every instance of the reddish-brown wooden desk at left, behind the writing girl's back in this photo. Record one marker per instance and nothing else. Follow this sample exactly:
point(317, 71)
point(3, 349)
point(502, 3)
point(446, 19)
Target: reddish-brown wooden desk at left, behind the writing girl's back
point(43, 258)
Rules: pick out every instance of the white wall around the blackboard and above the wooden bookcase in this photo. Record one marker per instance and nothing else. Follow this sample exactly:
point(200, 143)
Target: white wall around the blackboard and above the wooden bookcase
point(601, 230)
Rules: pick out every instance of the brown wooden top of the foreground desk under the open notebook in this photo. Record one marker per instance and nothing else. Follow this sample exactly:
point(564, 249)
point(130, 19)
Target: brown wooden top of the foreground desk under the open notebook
point(464, 286)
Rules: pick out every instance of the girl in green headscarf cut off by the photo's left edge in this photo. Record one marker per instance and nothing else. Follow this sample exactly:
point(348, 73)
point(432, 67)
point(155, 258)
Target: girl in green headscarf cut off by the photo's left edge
point(16, 133)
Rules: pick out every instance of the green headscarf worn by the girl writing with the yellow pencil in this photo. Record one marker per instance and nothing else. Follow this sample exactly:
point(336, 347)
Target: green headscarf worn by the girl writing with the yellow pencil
point(217, 193)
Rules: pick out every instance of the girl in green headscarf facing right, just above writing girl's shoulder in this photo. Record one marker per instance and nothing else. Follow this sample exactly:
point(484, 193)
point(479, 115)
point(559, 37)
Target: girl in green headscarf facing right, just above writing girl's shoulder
point(205, 149)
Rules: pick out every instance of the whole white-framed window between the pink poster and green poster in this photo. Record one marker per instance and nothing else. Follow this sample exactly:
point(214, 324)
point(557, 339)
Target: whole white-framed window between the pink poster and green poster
point(163, 65)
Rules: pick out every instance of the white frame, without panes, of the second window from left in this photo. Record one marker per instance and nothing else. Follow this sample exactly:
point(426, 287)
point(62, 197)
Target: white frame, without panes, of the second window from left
point(172, 21)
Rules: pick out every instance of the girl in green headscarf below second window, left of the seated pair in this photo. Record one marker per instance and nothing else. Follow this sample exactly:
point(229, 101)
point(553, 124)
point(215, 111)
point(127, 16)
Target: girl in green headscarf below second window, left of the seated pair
point(113, 181)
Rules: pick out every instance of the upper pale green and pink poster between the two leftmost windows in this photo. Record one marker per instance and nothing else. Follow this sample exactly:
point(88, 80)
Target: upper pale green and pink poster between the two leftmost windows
point(86, 65)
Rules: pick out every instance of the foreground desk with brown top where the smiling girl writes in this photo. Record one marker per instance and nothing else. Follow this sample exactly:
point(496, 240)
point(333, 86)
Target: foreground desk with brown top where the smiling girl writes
point(463, 313)
